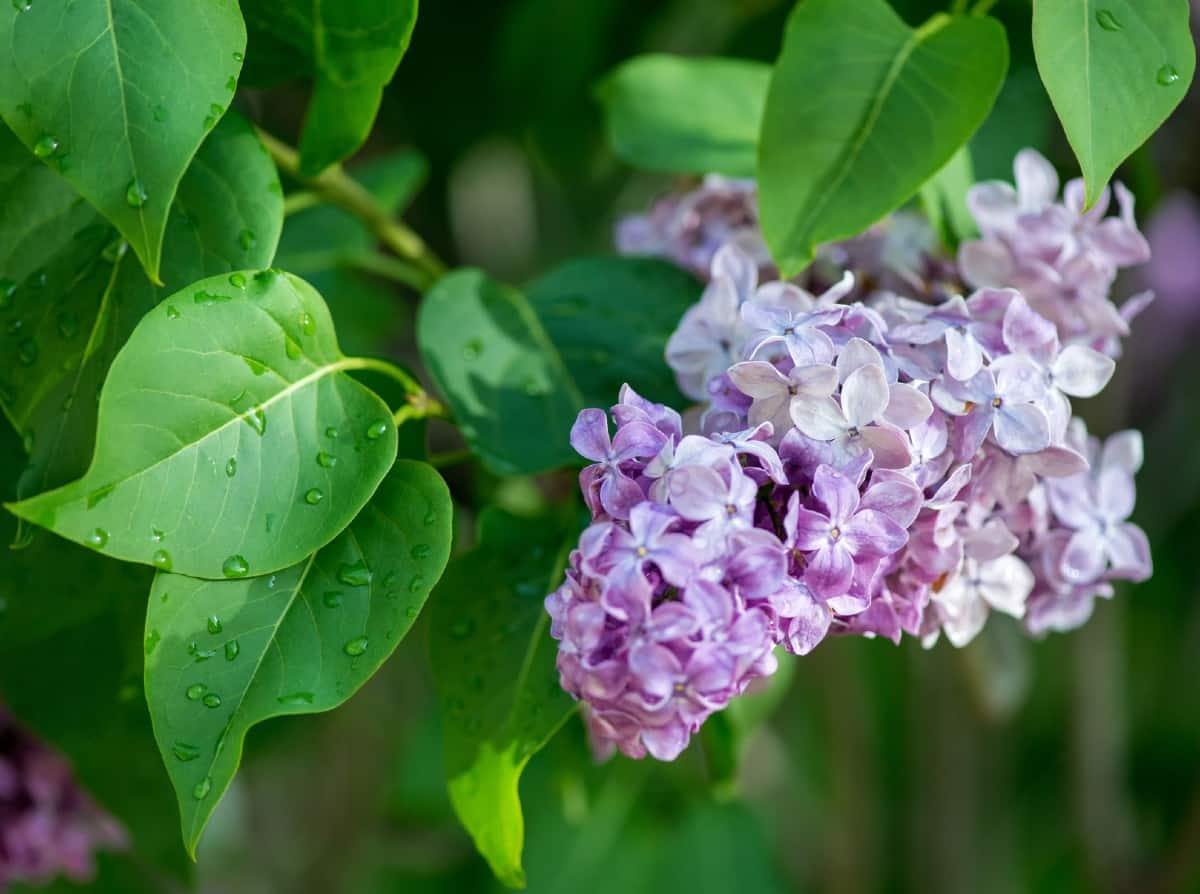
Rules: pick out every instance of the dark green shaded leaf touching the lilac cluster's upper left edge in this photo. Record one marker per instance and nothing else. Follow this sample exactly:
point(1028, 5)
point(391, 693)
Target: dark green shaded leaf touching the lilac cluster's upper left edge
point(610, 320)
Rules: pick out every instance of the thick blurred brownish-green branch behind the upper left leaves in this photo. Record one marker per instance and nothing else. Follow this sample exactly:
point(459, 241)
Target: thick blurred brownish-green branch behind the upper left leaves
point(337, 188)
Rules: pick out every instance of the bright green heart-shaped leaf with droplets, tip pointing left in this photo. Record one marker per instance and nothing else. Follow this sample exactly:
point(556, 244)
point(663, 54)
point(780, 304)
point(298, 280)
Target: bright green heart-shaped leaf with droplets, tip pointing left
point(231, 441)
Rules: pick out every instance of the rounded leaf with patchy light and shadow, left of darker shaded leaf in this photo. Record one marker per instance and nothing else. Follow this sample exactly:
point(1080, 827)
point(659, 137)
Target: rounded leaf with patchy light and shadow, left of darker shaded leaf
point(512, 394)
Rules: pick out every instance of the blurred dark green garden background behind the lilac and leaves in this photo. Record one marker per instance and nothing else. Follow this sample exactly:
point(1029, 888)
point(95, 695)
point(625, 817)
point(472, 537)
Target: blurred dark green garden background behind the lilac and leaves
point(1069, 765)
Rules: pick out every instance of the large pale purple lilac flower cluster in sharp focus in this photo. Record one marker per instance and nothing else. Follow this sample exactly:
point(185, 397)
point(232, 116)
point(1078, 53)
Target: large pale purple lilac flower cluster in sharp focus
point(877, 454)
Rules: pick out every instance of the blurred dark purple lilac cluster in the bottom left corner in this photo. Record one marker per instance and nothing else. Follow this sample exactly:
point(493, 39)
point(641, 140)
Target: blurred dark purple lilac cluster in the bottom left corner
point(49, 826)
